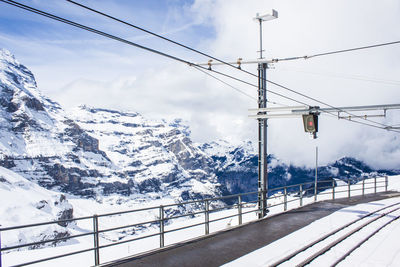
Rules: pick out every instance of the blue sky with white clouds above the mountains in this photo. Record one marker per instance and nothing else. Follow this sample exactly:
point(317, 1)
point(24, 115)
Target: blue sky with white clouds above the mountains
point(75, 67)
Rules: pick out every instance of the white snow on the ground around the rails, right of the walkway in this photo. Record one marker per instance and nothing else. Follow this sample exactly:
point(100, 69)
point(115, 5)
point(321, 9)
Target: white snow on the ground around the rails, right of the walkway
point(383, 249)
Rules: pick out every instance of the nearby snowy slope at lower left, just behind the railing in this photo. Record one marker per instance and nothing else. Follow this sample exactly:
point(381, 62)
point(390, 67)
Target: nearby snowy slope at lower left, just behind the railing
point(24, 202)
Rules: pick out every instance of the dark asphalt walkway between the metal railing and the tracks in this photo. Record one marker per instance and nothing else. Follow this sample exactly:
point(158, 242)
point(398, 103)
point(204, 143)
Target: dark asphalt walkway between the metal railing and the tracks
point(222, 247)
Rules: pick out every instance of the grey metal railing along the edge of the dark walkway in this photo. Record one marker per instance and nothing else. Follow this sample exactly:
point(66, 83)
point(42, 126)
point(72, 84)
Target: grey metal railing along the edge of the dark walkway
point(202, 207)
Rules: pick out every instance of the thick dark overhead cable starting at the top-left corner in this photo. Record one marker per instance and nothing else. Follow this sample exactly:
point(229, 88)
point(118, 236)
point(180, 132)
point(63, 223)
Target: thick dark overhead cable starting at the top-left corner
point(54, 17)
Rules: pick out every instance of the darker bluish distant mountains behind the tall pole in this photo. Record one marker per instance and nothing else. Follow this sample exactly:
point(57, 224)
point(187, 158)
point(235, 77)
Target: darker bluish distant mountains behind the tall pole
point(237, 167)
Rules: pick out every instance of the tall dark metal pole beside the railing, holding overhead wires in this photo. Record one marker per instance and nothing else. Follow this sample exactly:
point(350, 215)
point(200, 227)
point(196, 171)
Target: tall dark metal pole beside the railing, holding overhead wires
point(262, 124)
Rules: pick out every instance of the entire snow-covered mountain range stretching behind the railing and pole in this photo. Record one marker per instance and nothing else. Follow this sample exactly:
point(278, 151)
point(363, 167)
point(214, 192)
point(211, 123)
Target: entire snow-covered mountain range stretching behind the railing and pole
point(92, 152)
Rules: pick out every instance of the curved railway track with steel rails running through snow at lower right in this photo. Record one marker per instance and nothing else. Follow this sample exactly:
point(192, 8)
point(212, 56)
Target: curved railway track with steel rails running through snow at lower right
point(346, 238)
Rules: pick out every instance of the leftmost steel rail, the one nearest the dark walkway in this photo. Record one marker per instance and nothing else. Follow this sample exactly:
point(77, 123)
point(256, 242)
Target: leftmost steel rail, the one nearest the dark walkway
point(304, 248)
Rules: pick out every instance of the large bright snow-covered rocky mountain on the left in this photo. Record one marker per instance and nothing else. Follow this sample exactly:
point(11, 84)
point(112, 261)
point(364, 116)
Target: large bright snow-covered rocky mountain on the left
point(94, 151)
